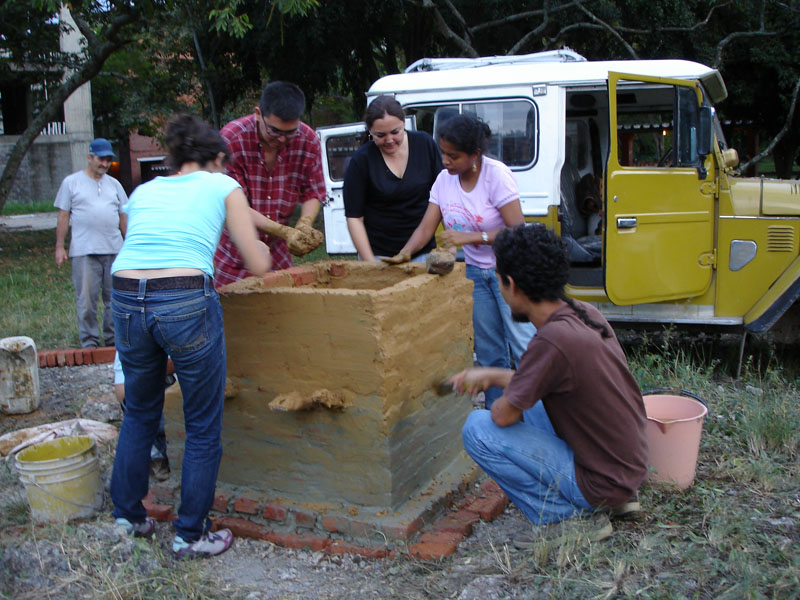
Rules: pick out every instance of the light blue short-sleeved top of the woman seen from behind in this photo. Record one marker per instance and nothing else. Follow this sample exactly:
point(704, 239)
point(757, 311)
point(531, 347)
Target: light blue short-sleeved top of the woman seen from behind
point(175, 222)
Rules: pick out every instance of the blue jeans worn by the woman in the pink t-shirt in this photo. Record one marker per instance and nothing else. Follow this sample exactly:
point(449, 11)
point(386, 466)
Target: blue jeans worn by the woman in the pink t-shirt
point(499, 340)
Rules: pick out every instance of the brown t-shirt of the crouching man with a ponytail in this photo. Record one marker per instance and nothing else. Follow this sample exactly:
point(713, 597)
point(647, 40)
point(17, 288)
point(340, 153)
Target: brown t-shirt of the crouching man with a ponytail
point(593, 402)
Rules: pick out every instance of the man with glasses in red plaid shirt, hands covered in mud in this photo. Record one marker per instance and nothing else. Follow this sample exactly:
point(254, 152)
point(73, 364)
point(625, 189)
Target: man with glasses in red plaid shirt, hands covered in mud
point(278, 162)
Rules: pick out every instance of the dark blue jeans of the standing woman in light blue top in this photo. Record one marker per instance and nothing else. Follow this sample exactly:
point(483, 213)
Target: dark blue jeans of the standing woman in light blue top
point(187, 326)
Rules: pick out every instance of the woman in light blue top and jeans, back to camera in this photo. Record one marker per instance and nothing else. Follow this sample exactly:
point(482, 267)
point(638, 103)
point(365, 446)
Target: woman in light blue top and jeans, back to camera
point(163, 304)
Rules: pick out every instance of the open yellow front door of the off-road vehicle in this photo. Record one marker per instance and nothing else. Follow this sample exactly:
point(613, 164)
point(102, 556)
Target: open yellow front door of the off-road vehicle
point(659, 198)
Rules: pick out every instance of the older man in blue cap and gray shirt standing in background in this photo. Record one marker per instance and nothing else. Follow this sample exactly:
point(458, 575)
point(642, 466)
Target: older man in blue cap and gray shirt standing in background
point(92, 201)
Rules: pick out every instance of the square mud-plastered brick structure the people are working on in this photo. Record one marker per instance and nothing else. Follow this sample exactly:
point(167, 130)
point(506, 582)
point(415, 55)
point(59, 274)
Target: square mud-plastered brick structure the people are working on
point(336, 370)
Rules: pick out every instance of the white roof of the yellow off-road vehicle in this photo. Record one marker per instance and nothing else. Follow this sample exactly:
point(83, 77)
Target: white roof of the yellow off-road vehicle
point(576, 73)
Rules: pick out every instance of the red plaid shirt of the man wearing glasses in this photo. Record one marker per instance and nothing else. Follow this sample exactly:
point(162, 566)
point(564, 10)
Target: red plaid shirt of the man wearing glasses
point(295, 177)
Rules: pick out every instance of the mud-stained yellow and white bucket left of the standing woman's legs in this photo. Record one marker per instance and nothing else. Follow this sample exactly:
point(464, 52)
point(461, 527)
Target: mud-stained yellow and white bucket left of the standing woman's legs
point(61, 478)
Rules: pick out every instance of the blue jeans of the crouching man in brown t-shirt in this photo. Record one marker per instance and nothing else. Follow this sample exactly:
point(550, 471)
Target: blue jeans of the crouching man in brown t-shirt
point(534, 466)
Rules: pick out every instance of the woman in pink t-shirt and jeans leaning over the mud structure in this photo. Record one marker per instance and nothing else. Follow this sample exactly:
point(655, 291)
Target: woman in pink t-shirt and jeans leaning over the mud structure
point(476, 197)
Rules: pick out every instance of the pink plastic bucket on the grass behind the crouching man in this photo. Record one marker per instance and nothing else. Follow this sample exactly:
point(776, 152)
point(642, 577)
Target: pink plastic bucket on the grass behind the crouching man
point(674, 425)
